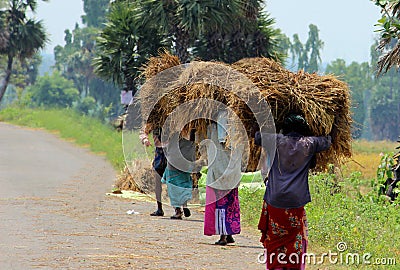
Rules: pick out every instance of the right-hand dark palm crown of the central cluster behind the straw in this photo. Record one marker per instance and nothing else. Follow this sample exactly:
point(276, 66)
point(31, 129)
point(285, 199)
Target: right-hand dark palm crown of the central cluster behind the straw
point(251, 35)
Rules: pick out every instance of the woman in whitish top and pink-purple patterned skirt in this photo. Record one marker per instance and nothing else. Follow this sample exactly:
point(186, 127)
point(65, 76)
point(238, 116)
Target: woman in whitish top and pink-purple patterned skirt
point(222, 211)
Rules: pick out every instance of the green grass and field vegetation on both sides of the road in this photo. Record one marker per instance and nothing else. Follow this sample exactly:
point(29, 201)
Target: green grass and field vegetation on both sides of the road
point(346, 209)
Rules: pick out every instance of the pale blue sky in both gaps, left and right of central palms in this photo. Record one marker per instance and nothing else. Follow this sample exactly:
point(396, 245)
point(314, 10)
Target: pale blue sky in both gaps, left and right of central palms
point(345, 26)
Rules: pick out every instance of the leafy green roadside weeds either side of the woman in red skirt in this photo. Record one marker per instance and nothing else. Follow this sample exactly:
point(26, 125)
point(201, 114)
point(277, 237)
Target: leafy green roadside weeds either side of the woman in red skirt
point(368, 224)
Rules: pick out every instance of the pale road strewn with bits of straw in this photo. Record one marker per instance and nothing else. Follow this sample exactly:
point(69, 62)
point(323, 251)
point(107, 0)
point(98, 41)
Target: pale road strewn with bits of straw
point(55, 214)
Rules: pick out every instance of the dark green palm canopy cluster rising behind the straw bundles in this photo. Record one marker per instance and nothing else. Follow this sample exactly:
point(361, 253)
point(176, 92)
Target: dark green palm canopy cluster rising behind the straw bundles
point(210, 30)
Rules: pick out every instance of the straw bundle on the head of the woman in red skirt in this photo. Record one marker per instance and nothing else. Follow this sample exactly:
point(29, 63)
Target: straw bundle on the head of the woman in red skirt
point(323, 100)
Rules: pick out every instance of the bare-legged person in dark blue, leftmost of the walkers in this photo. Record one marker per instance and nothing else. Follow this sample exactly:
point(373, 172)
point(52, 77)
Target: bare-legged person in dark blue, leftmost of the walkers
point(159, 164)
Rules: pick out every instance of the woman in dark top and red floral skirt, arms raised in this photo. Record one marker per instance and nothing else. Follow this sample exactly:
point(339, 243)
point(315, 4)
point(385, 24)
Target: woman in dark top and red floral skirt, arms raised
point(283, 220)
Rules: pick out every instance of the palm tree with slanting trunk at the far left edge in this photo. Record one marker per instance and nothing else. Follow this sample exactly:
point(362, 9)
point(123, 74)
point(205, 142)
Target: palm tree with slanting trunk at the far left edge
point(26, 36)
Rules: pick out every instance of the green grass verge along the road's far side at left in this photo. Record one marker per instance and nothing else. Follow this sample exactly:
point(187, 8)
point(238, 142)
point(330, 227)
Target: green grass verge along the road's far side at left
point(68, 124)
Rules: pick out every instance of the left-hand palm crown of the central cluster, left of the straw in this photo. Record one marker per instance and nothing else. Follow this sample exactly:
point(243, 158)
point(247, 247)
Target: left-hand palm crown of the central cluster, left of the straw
point(124, 45)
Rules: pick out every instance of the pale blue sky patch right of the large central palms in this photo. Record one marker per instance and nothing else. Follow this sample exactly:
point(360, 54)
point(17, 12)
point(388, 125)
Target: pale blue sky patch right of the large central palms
point(345, 26)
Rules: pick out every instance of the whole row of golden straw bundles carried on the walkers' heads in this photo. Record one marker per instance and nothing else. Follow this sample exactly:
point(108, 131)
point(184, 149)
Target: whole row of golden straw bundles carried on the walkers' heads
point(323, 100)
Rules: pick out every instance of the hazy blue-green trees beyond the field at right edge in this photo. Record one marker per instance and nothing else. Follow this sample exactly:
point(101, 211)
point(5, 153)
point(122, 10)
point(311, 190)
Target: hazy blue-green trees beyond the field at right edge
point(375, 106)
